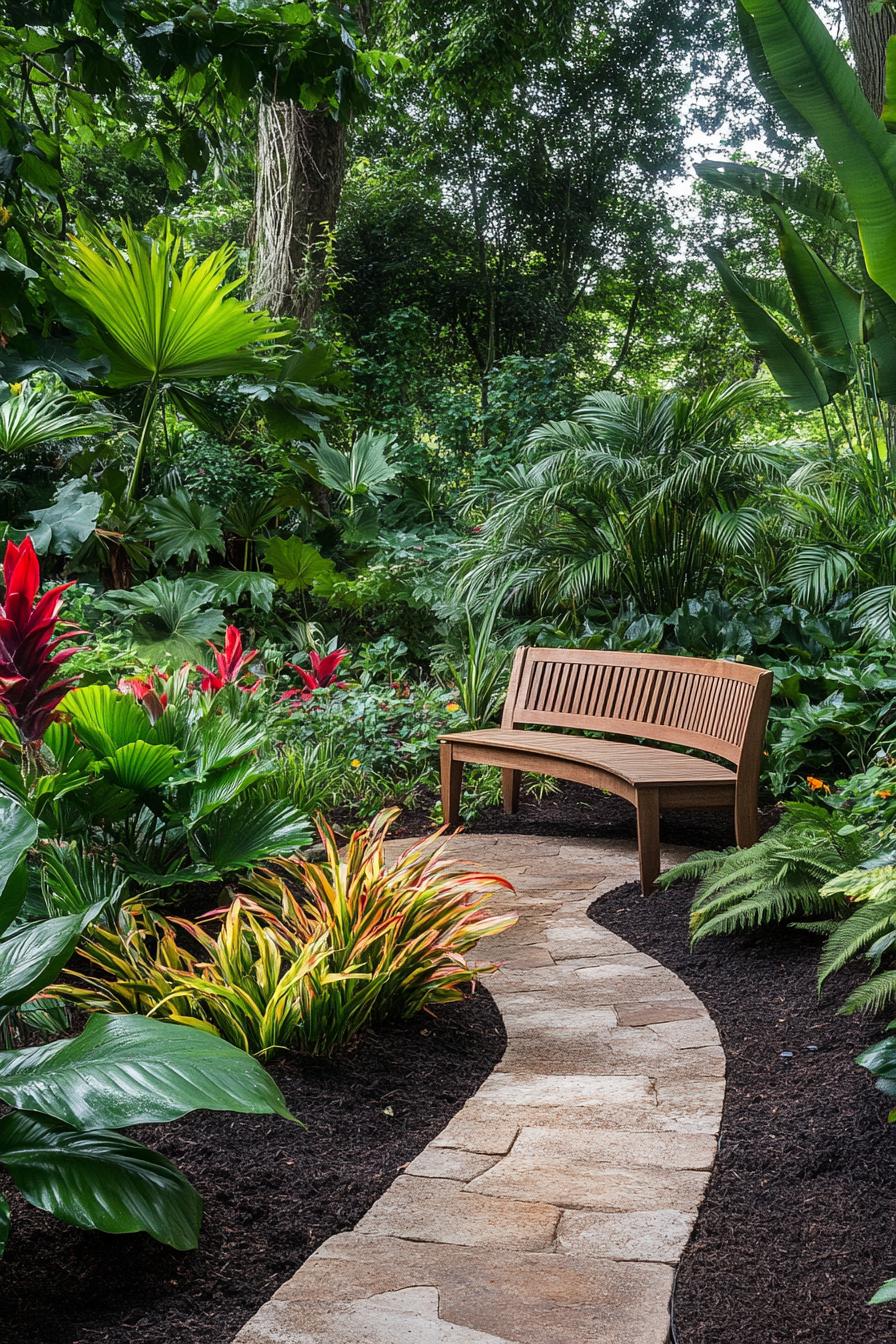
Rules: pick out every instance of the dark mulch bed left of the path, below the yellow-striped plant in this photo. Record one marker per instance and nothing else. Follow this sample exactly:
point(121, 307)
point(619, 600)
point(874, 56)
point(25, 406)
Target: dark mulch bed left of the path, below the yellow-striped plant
point(273, 1193)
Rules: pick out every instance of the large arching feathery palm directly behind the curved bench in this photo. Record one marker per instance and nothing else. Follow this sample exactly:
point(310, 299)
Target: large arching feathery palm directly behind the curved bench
point(639, 499)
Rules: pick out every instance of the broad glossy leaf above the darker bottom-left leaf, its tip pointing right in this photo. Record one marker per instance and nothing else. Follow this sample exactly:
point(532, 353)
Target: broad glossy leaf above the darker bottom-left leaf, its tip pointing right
point(128, 1070)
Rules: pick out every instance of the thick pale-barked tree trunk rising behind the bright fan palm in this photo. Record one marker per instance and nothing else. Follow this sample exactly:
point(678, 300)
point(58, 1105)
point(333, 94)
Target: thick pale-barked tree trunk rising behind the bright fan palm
point(302, 166)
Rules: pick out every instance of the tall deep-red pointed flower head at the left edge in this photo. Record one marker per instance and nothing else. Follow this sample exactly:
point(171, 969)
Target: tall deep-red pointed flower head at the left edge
point(30, 653)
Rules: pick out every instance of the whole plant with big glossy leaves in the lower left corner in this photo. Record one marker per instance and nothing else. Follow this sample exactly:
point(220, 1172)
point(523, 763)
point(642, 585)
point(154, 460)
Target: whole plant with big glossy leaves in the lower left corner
point(66, 1101)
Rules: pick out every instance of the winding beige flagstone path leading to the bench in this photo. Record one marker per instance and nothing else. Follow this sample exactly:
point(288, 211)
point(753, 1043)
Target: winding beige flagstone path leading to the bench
point(558, 1201)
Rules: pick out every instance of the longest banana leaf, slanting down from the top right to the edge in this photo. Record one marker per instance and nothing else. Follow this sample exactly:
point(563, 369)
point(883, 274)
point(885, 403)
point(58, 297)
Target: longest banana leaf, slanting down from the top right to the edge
point(815, 77)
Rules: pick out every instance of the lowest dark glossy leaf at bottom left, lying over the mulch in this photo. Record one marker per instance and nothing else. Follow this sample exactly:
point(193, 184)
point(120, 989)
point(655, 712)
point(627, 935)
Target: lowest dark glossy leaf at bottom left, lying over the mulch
point(99, 1181)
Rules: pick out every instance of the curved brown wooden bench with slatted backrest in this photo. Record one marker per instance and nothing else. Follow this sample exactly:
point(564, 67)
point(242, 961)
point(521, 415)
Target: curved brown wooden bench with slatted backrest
point(711, 706)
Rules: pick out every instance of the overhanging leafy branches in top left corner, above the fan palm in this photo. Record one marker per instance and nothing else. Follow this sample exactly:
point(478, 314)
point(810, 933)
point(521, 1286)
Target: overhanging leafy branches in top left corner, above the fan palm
point(183, 77)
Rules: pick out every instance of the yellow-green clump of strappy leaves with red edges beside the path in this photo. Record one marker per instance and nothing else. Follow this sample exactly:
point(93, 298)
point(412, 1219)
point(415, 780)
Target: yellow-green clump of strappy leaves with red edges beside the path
point(318, 952)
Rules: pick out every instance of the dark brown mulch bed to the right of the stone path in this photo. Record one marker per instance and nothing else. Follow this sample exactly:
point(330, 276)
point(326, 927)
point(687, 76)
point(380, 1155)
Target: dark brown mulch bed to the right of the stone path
point(799, 1226)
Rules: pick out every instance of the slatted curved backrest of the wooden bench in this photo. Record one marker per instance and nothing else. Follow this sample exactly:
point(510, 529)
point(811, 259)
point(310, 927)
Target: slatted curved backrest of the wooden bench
point(714, 706)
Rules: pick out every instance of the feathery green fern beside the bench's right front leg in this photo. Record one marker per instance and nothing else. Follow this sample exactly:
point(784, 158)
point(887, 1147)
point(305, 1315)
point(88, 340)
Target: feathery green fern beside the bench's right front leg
point(782, 880)
